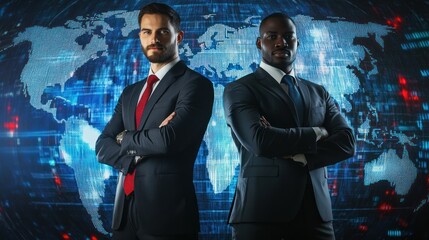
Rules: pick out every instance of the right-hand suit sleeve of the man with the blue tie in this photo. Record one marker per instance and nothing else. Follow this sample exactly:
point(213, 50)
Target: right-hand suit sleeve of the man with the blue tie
point(339, 145)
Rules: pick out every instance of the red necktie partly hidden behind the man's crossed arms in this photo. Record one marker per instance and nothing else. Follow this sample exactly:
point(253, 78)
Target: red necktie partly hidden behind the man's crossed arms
point(129, 178)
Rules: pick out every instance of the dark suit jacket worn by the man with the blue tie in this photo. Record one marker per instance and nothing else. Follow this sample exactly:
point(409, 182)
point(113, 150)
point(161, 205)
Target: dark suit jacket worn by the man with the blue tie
point(270, 189)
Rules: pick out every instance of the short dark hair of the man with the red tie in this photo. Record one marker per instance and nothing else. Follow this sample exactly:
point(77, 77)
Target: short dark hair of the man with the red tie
point(160, 8)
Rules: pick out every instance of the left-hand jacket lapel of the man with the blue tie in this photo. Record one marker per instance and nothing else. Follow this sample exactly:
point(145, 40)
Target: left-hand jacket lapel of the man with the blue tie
point(273, 86)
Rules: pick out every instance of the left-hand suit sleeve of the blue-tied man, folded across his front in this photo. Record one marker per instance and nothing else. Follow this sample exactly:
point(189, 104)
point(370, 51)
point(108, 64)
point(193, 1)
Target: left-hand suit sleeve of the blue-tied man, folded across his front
point(242, 115)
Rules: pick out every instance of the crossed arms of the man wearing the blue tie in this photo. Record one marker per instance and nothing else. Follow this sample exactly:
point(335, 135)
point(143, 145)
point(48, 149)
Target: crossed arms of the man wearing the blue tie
point(324, 144)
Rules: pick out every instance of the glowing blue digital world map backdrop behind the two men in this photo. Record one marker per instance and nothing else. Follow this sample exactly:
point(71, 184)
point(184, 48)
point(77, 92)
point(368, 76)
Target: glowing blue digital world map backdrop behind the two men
point(63, 66)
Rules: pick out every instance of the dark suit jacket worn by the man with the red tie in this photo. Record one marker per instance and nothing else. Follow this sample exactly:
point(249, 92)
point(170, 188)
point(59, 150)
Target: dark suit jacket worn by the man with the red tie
point(164, 191)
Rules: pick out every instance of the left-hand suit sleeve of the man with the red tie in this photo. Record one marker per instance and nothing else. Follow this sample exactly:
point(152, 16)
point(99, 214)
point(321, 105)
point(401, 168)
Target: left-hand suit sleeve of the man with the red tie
point(106, 148)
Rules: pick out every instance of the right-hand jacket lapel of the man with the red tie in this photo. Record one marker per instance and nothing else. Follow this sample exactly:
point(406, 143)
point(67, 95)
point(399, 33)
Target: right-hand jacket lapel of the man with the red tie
point(162, 87)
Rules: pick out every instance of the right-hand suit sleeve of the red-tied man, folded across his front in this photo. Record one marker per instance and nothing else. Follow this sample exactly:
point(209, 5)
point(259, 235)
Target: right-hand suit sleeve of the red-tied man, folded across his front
point(193, 111)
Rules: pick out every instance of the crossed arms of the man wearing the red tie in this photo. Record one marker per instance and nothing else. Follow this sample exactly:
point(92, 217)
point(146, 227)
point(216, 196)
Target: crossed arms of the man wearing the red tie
point(187, 121)
